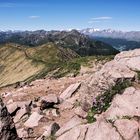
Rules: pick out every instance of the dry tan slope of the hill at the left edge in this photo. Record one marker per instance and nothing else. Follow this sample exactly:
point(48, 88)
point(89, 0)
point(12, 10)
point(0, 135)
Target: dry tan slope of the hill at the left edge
point(15, 65)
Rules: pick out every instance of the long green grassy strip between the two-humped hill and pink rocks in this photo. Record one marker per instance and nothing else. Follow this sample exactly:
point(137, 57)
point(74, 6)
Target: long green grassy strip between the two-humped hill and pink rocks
point(72, 66)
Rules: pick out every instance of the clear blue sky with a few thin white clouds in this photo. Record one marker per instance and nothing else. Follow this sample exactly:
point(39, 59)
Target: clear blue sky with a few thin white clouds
point(69, 14)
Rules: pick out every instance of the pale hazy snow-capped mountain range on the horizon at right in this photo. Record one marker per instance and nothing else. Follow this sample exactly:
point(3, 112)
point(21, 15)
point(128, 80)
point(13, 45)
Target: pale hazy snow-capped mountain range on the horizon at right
point(131, 36)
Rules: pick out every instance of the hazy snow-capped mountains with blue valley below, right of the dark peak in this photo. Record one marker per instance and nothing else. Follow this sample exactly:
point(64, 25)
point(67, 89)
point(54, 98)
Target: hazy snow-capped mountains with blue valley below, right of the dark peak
point(118, 39)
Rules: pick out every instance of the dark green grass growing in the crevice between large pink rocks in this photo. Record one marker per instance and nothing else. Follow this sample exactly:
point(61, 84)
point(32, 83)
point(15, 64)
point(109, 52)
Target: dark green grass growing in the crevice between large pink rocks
point(103, 102)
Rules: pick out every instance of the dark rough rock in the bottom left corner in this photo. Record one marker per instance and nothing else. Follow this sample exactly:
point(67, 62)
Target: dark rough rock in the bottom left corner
point(7, 127)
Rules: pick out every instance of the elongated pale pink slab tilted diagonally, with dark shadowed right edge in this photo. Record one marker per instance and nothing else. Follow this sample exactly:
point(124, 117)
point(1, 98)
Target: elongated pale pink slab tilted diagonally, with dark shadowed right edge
point(70, 91)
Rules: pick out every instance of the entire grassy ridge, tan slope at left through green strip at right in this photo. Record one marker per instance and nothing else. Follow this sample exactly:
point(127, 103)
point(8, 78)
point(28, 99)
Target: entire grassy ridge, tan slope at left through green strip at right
point(25, 64)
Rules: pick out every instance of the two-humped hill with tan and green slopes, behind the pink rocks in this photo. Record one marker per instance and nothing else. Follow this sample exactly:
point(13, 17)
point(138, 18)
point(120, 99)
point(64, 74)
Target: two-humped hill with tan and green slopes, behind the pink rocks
point(19, 63)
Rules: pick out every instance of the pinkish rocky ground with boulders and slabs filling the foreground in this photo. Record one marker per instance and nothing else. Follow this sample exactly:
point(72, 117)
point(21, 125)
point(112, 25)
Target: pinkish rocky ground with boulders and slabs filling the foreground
point(100, 106)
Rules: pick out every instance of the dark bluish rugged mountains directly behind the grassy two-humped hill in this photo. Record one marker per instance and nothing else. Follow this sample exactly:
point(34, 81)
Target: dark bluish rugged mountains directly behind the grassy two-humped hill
point(74, 40)
